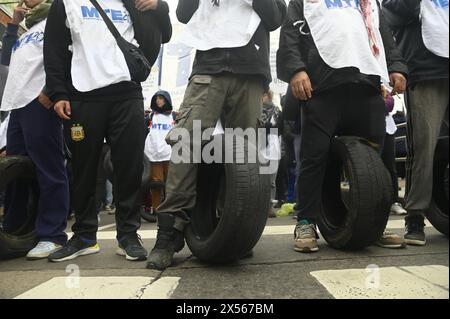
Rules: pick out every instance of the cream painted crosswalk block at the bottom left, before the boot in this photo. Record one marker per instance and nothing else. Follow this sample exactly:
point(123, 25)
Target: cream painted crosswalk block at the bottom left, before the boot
point(103, 288)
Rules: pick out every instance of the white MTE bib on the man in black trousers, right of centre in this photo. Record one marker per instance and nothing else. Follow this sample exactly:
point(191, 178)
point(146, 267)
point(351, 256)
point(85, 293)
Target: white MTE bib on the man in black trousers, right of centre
point(341, 36)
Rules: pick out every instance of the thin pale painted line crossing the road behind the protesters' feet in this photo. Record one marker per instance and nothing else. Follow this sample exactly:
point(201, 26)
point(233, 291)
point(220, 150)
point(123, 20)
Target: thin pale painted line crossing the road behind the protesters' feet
point(268, 231)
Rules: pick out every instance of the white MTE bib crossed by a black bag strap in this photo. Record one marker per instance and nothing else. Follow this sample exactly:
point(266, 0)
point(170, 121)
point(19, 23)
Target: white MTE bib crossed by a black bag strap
point(97, 60)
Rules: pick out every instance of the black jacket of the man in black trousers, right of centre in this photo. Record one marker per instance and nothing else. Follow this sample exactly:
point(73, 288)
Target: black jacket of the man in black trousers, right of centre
point(298, 52)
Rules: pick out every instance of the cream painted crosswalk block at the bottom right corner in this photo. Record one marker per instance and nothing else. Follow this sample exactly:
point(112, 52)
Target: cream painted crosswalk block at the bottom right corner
point(424, 282)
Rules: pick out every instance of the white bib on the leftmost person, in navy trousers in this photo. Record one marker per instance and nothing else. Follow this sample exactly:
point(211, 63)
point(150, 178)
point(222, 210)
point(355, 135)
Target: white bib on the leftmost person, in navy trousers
point(26, 77)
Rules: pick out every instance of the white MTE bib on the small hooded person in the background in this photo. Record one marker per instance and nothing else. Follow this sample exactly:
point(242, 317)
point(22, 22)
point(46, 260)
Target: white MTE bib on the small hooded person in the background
point(156, 148)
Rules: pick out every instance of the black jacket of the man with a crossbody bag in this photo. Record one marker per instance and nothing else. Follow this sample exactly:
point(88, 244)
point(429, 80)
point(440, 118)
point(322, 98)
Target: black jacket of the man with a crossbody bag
point(151, 28)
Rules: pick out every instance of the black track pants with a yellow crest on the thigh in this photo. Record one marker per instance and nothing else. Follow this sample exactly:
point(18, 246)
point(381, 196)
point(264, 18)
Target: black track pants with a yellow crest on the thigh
point(122, 124)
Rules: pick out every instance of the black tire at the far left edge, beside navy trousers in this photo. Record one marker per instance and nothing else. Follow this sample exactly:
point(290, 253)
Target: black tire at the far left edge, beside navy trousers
point(22, 240)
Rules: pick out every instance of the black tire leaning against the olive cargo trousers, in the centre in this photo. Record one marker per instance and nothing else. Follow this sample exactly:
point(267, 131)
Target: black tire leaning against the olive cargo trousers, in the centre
point(231, 211)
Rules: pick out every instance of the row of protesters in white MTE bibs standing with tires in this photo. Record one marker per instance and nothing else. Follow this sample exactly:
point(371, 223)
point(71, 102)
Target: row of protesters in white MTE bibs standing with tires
point(343, 60)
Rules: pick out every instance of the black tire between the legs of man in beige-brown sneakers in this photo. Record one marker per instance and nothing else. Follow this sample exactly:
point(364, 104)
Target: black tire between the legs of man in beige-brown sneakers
point(354, 218)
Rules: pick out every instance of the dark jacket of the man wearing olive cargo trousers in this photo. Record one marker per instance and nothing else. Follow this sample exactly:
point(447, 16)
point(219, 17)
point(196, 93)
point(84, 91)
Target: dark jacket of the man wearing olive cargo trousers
point(243, 60)
